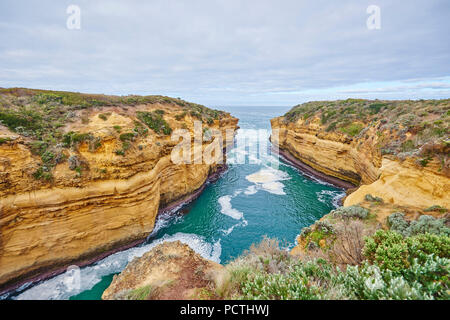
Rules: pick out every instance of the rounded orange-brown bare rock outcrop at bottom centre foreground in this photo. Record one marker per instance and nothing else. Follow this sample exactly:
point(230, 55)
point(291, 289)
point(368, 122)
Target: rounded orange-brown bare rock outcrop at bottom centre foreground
point(171, 270)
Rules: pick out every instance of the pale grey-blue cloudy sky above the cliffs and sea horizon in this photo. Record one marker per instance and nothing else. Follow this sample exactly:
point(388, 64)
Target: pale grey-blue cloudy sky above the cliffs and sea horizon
point(229, 52)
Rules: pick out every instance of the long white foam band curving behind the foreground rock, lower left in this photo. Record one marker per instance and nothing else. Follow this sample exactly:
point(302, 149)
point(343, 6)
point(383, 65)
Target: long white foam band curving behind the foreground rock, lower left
point(56, 288)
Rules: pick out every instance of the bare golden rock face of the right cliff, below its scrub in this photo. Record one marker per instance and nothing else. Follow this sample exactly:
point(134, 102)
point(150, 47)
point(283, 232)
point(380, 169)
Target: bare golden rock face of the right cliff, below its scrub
point(359, 161)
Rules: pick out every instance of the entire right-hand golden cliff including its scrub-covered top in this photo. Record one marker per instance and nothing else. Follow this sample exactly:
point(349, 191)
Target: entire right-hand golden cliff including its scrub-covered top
point(405, 162)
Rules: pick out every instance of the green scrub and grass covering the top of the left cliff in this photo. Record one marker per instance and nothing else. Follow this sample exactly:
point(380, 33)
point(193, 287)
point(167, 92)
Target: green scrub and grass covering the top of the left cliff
point(40, 116)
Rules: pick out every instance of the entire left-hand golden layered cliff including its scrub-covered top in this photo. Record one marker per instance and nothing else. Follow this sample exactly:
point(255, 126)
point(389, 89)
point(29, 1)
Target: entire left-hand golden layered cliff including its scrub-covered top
point(84, 175)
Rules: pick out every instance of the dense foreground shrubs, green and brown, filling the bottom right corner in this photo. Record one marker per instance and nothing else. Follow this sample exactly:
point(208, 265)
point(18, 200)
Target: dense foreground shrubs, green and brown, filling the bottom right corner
point(353, 257)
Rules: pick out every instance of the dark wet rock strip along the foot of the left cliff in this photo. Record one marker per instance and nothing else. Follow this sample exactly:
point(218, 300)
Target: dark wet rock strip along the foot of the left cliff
point(213, 177)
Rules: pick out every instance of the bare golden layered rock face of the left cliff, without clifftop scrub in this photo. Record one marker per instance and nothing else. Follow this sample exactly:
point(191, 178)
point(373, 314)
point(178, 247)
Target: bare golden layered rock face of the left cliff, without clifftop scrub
point(104, 194)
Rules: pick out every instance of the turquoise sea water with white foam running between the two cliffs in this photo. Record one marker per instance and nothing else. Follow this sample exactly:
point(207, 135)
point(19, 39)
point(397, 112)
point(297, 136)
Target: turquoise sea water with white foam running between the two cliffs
point(231, 214)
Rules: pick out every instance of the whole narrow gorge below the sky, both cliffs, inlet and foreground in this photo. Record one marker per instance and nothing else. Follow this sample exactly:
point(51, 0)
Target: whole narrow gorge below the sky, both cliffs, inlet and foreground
point(88, 180)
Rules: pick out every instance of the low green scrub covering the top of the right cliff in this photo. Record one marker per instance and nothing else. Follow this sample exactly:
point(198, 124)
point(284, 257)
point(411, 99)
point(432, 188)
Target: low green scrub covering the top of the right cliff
point(404, 127)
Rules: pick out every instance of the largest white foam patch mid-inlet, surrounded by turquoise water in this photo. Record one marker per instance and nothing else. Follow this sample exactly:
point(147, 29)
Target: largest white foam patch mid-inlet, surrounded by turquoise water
point(268, 179)
